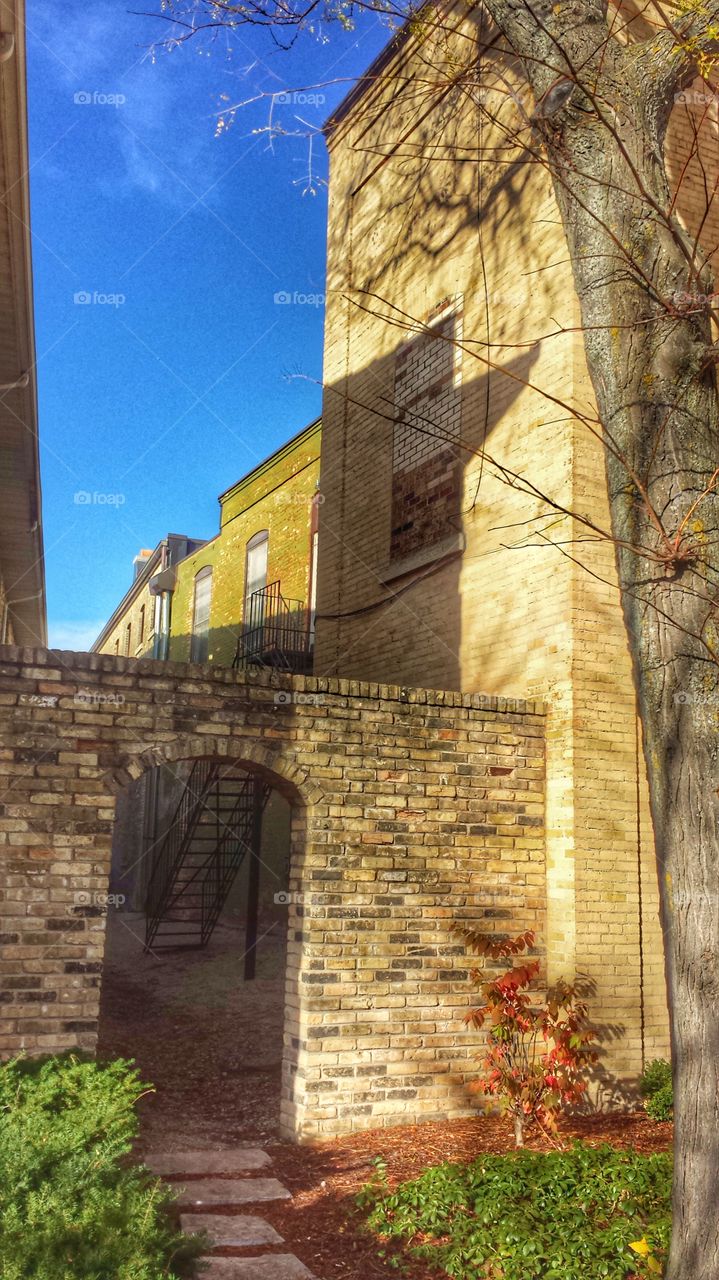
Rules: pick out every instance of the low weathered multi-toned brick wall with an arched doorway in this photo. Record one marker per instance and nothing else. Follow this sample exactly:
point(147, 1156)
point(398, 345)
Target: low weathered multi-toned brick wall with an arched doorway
point(418, 808)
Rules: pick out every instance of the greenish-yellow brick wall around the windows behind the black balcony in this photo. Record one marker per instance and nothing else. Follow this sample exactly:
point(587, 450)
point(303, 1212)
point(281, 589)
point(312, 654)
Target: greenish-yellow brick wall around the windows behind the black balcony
point(278, 496)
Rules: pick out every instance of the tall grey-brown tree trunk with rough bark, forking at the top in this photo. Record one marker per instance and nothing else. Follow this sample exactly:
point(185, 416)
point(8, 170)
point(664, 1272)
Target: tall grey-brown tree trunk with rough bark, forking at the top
point(649, 360)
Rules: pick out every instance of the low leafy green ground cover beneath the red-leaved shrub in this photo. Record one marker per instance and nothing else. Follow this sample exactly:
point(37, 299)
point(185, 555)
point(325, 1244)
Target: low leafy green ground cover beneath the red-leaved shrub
point(567, 1215)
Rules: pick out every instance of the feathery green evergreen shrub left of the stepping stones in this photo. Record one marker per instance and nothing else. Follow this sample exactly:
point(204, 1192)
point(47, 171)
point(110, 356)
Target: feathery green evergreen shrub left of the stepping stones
point(71, 1209)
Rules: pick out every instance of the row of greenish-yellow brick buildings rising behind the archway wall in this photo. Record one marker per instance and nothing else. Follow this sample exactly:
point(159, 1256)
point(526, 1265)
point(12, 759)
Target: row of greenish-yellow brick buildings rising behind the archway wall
point(190, 598)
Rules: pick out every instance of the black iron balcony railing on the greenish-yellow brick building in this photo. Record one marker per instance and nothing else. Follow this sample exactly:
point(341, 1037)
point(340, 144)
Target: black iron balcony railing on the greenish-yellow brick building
point(278, 633)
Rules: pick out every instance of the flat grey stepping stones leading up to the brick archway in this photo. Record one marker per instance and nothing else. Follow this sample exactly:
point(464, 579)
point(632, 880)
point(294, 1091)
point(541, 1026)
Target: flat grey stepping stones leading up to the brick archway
point(207, 1187)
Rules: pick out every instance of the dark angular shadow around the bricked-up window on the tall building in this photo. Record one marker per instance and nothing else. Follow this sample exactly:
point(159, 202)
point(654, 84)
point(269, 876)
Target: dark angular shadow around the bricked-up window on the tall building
point(392, 575)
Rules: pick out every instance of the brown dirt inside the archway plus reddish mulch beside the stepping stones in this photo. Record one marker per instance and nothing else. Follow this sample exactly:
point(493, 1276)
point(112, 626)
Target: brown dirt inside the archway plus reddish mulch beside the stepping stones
point(212, 1045)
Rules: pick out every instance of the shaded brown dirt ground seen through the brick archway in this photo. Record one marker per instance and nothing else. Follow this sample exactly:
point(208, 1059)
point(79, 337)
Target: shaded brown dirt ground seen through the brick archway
point(207, 1040)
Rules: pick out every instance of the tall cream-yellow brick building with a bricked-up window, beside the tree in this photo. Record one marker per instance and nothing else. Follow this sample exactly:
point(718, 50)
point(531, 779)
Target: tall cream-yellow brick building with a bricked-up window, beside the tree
point(455, 380)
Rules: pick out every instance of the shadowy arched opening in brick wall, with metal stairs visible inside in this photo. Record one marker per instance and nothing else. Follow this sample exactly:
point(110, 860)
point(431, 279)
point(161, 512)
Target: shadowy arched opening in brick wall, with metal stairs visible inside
point(195, 976)
